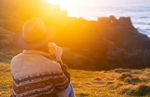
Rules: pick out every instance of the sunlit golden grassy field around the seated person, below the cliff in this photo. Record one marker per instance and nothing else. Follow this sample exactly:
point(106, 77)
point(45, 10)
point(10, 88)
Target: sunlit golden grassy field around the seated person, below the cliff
point(113, 83)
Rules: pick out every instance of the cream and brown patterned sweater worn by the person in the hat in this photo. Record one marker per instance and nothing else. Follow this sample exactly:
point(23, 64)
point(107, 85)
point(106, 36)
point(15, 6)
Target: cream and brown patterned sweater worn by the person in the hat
point(35, 74)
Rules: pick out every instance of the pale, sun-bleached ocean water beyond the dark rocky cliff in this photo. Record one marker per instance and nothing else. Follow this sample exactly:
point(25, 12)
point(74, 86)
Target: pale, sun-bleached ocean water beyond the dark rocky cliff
point(137, 10)
